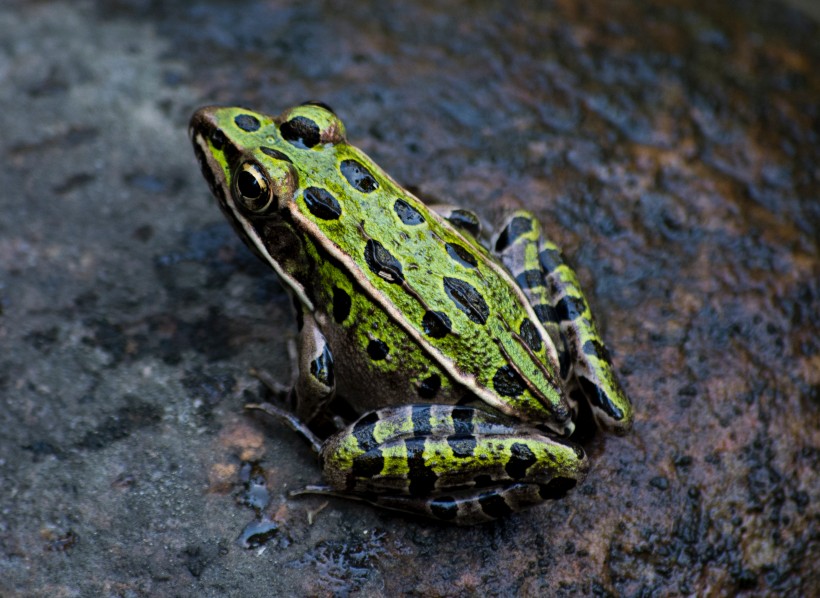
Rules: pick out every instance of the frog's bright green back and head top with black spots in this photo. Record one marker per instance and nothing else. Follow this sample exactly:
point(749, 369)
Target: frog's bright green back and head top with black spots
point(423, 277)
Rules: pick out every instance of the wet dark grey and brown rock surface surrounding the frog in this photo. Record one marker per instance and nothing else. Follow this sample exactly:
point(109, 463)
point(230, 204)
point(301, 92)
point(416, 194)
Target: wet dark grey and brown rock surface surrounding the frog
point(671, 149)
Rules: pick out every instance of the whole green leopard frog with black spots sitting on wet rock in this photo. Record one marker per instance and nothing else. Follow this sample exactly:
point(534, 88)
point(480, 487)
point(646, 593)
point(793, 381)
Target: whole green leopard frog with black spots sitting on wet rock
point(456, 357)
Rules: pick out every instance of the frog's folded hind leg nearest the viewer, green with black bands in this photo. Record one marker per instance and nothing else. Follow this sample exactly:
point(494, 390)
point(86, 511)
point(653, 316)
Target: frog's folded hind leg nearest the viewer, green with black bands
point(453, 463)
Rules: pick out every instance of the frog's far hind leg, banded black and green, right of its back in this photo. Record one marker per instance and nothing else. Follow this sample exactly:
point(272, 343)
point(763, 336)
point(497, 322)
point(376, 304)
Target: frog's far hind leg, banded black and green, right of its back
point(553, 289)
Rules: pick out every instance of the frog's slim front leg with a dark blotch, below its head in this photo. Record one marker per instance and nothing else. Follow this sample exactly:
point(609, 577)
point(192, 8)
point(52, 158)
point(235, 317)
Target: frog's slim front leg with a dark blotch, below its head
point(315, 384)
